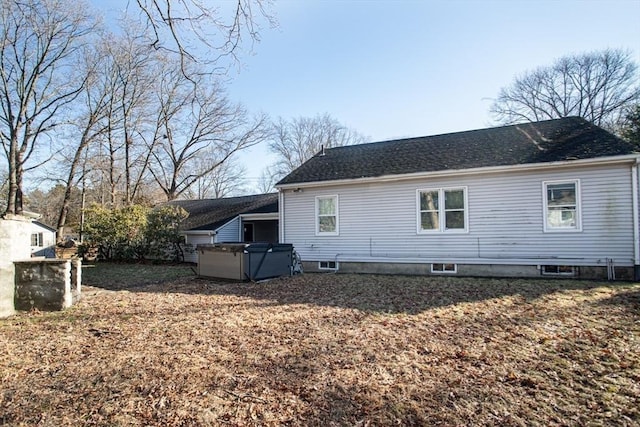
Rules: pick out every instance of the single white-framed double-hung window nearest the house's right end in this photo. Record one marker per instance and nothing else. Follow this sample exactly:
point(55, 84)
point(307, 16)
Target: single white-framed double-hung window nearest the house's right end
point(562, 205)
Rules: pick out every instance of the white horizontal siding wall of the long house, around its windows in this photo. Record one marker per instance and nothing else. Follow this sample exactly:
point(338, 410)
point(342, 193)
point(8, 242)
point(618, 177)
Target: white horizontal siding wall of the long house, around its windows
point(378, 221)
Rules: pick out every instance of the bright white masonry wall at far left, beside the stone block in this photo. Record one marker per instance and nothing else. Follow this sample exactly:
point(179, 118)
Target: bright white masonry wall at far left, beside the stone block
point(15, 244)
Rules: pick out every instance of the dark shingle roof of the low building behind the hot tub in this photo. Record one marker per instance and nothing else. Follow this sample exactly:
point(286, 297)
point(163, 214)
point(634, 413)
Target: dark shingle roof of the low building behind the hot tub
point(209, 214)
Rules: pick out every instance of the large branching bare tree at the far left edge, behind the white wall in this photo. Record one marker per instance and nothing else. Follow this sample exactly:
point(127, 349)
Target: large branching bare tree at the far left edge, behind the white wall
point(37, 81)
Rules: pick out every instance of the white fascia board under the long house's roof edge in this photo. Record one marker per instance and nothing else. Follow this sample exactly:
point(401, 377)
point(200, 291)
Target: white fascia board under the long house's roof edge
point(612, 160)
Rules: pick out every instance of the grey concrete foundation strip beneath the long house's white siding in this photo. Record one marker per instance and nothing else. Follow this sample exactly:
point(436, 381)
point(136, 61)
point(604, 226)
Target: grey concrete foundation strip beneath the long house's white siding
point(469, 270)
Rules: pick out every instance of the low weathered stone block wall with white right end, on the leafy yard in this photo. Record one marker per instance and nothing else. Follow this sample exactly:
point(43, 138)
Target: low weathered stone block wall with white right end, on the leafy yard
point(47, 285)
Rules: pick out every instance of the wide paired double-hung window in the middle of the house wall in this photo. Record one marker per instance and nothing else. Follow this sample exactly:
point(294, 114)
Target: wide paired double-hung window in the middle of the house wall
point(442, 209)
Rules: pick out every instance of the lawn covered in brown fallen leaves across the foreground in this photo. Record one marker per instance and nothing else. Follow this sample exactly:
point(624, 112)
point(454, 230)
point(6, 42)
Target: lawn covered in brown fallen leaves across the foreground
point(325, 350)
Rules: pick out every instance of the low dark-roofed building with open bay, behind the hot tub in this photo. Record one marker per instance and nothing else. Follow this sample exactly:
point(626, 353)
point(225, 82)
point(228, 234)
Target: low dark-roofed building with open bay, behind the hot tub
point(233, 219)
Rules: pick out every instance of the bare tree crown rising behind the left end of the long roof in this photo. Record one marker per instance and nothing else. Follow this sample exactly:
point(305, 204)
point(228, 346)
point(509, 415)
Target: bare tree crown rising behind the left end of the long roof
point(297, 140)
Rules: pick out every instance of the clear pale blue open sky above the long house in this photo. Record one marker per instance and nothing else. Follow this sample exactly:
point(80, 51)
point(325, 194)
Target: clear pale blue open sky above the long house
point(394, 69)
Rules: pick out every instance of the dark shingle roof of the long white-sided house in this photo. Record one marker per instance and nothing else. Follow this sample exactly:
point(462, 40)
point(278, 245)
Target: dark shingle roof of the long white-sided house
point(568, 138)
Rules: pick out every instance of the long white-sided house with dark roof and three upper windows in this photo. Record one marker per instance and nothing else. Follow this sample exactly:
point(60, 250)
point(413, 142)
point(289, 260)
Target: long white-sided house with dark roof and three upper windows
point(557, 197)
